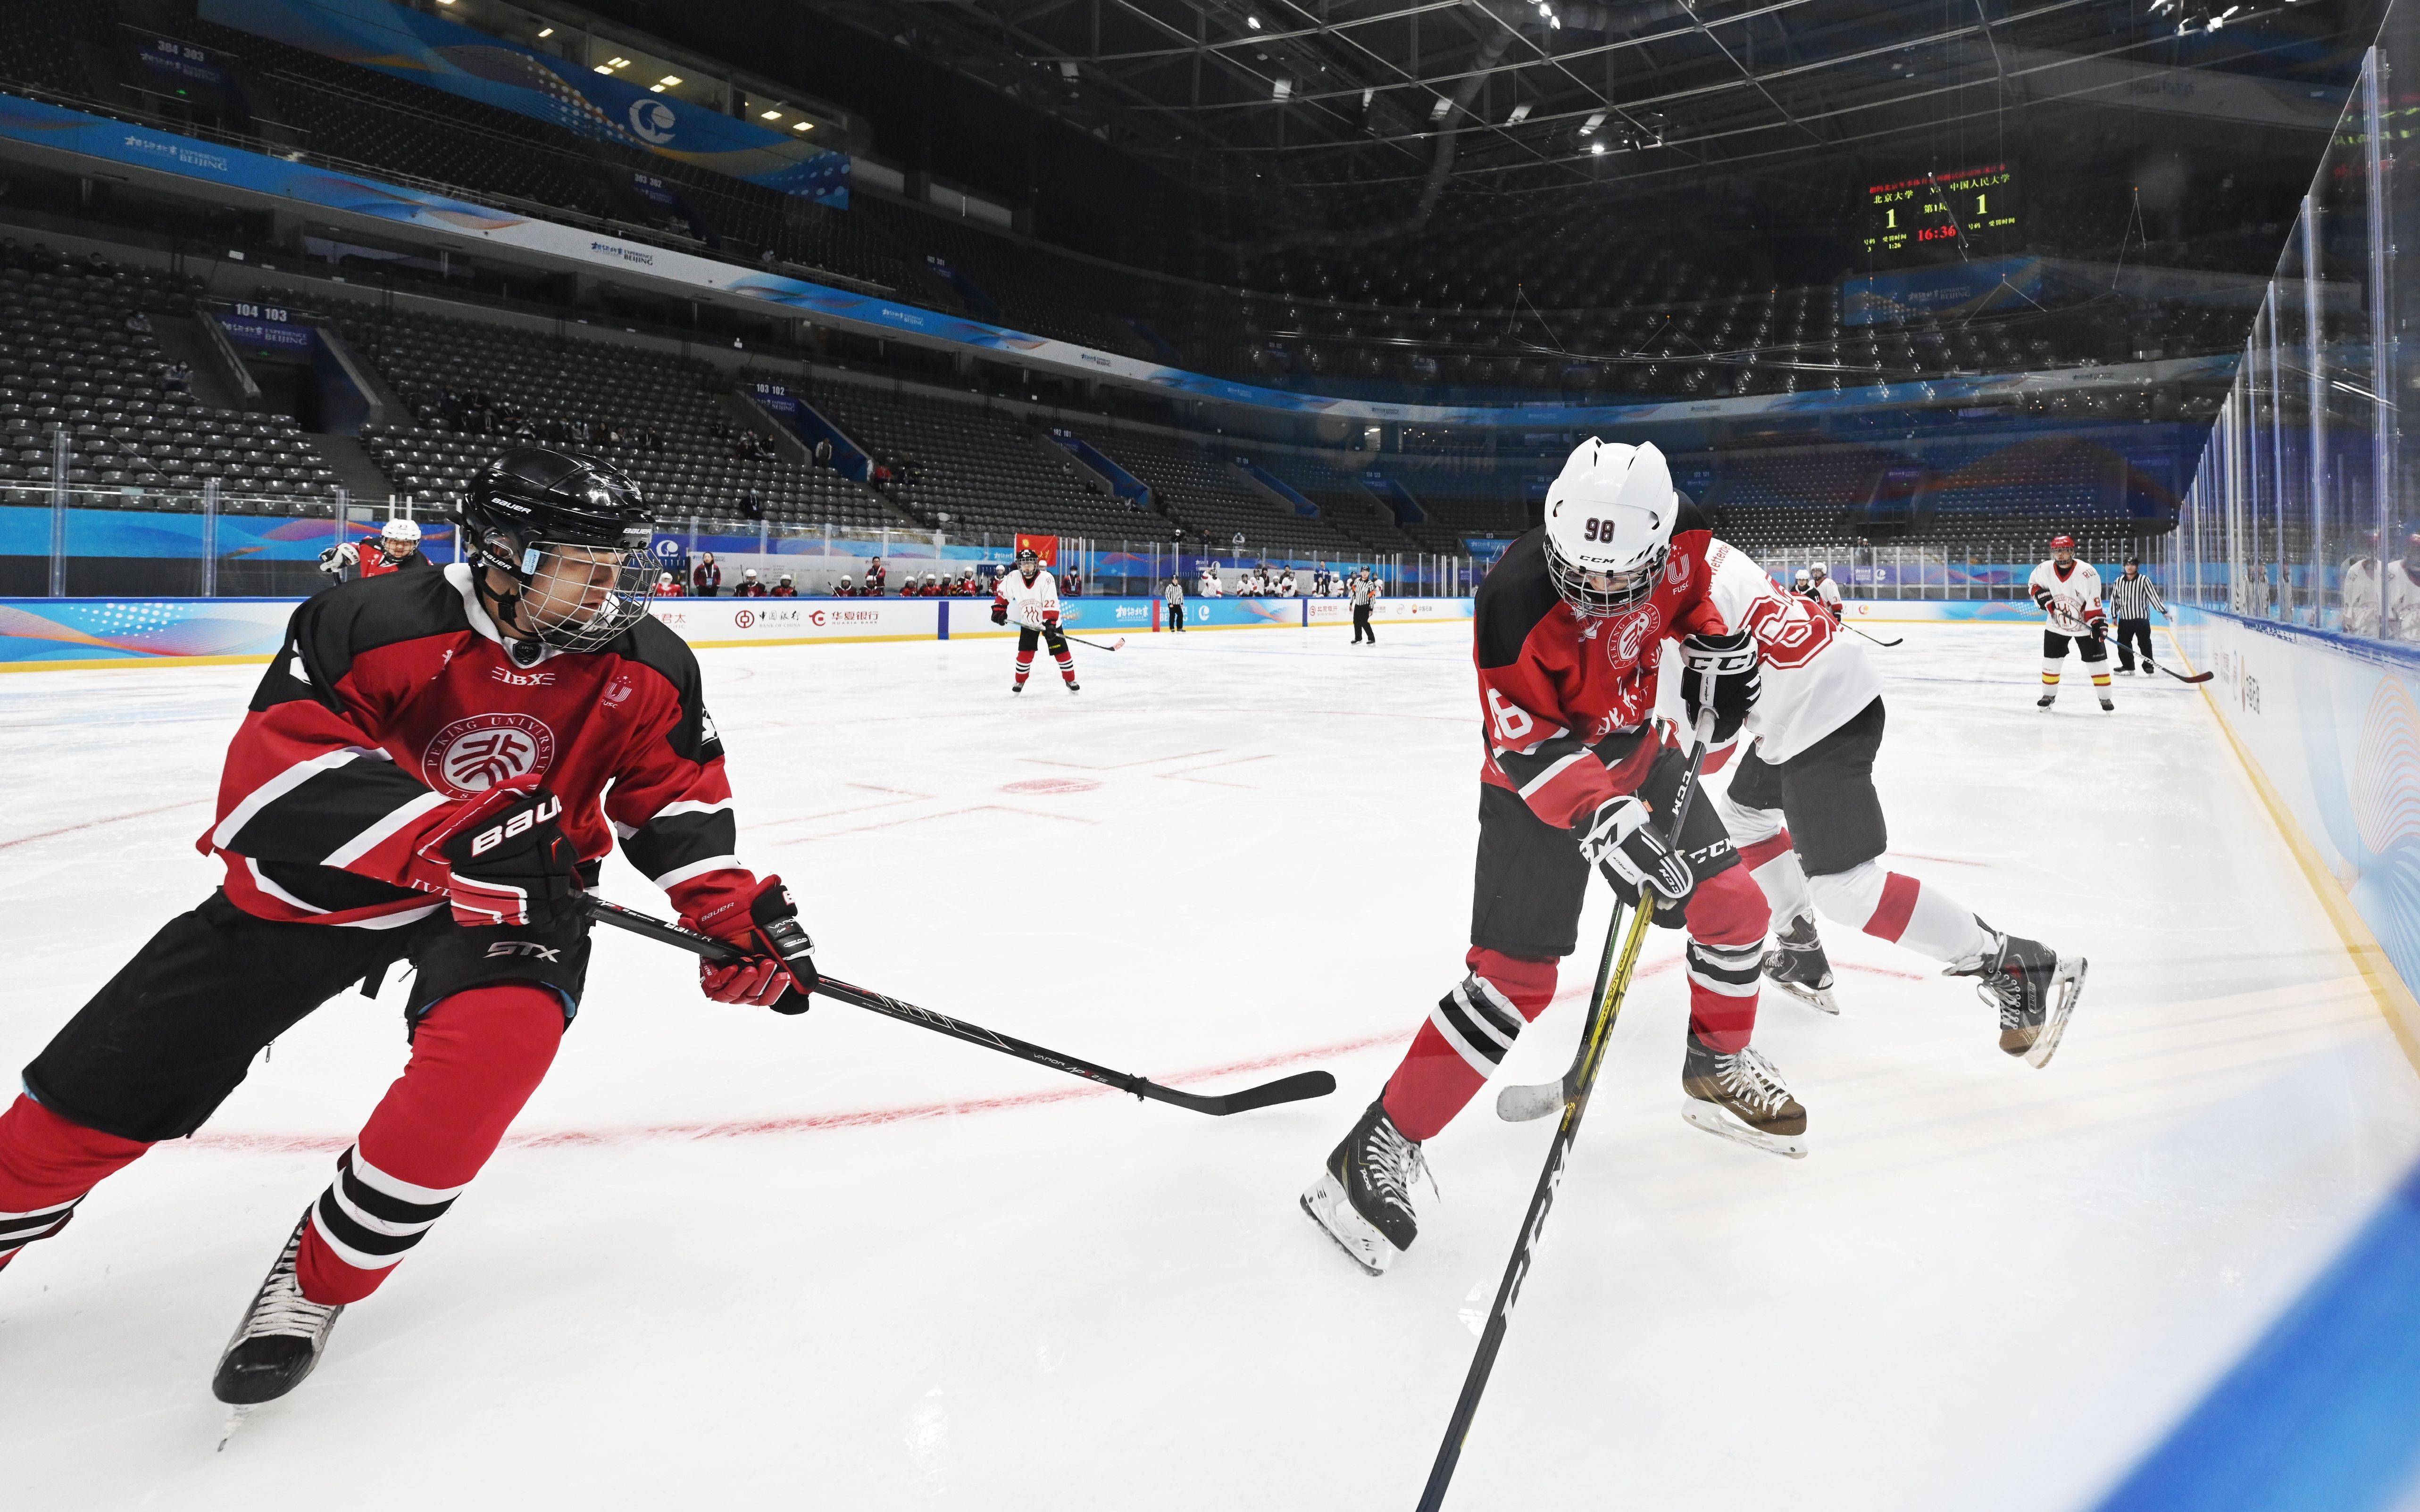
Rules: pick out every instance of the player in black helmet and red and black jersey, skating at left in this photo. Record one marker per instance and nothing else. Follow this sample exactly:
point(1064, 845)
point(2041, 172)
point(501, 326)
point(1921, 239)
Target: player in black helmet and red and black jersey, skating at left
point(432, 771)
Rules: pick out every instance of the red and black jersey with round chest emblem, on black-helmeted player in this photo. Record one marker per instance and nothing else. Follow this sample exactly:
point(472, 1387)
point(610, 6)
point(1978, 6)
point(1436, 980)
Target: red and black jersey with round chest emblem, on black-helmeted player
point(396, 700)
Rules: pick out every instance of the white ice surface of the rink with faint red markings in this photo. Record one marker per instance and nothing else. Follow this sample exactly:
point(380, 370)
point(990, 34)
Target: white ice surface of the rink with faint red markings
point(831, 1262)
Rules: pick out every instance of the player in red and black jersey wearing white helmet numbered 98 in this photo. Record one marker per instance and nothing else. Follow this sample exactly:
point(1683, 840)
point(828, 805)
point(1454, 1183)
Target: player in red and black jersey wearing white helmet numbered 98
point(1577, 778)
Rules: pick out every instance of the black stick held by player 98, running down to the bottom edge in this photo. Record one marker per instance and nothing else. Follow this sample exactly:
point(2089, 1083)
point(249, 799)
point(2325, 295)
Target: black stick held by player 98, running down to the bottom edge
point(1579, 1083)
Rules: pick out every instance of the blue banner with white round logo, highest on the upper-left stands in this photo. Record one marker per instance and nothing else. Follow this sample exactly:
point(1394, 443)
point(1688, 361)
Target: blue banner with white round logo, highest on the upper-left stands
point(558, 91)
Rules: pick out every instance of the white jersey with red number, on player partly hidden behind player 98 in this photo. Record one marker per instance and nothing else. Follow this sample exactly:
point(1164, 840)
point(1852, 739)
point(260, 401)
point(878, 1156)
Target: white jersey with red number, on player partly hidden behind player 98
point(1816, 679)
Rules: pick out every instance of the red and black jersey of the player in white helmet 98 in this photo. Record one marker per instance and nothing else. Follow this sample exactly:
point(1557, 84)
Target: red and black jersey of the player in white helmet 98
point(1565, 700)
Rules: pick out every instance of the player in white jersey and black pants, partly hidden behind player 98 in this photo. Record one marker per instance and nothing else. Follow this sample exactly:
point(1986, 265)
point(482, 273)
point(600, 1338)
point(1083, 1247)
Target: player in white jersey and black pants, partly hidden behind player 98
point(1807, 816)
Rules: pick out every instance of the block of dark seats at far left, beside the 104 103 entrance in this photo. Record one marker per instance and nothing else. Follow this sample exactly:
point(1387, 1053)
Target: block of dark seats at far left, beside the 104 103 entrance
point(74, 357)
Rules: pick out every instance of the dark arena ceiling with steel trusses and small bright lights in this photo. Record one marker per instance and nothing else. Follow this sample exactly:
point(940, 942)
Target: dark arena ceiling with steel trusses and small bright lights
point(1381, 108)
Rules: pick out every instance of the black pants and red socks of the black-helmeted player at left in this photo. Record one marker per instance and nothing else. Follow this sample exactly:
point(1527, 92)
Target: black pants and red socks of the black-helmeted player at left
point(175, 1032)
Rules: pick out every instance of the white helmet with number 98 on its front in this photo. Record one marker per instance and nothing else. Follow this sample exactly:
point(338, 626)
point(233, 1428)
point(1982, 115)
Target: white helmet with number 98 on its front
point(1611, 526)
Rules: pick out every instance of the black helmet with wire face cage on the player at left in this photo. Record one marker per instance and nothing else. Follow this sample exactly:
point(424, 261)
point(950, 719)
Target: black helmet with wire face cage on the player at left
point(575, 536)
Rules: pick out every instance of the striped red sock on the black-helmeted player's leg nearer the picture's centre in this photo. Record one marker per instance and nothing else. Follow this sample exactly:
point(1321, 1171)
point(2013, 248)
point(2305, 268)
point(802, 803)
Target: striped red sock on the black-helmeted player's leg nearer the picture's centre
point(476, 1061)
